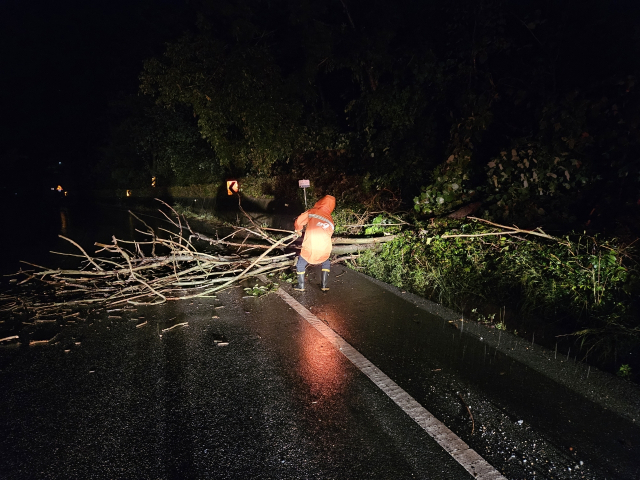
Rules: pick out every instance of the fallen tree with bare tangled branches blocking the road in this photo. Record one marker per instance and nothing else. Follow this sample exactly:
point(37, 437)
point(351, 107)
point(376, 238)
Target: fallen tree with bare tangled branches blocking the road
point(167, 266)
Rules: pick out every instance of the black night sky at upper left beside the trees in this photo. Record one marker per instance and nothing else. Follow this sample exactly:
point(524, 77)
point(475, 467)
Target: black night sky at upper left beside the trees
point(62, 63)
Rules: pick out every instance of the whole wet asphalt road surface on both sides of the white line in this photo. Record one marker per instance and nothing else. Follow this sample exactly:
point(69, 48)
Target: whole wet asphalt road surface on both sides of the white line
point(248, 389)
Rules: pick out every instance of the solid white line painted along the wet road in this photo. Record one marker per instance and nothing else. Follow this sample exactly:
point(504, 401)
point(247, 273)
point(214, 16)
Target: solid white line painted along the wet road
point(460, 451)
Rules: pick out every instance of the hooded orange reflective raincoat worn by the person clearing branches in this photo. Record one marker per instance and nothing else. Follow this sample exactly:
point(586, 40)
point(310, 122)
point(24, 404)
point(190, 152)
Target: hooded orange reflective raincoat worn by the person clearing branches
point(316, 246)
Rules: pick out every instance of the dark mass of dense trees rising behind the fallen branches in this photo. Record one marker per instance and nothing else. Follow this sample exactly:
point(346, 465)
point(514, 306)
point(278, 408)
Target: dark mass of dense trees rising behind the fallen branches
point(530, 107)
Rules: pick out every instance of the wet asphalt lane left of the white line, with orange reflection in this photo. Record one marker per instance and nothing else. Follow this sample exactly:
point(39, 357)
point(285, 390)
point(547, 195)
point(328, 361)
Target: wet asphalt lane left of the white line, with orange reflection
point(113, 400)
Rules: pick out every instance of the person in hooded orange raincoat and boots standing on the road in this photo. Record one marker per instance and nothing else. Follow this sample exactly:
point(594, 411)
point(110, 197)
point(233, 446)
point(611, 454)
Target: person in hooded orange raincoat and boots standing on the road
point(316, 246)
